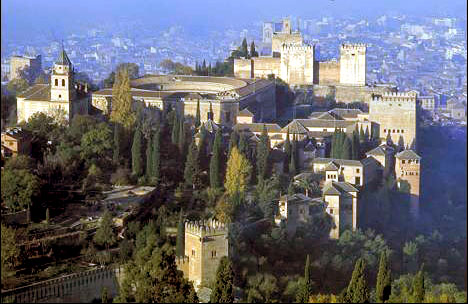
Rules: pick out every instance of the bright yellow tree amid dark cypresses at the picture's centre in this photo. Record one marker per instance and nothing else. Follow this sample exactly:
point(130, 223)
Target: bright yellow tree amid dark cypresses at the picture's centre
point(237, 173)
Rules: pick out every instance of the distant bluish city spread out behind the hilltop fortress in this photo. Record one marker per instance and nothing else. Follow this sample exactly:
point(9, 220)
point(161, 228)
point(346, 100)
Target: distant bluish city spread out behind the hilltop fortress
point(425, 54)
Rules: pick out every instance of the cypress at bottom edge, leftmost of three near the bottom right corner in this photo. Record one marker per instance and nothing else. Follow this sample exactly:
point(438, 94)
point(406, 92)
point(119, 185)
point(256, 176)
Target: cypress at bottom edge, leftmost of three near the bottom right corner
point(358, 291)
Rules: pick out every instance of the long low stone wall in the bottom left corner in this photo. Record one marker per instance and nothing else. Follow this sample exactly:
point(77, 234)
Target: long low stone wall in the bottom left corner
point(81, 287)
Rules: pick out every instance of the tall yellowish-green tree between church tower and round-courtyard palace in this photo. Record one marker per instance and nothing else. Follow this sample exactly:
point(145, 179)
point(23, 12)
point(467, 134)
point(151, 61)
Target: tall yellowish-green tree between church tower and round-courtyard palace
point(122, 101)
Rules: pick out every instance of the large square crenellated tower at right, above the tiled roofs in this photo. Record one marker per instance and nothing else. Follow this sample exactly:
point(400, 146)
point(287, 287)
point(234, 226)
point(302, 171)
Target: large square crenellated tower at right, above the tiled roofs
point(395, 115)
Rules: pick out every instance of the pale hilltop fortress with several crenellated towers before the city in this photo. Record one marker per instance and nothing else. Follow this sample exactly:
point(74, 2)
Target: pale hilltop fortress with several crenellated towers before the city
point(287, 56)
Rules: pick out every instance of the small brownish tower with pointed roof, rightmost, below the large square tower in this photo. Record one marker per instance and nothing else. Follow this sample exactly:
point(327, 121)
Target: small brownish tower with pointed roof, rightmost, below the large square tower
point(408, 175)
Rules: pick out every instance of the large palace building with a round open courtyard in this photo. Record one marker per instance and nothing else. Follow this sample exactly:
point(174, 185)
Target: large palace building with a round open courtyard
point(224, 96)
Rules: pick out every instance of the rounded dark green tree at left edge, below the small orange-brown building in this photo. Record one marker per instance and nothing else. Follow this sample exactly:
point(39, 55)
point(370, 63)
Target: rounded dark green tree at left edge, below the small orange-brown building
point(19, 187)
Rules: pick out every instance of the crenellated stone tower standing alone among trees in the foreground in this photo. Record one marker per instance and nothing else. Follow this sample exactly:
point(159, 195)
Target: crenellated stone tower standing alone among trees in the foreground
point(205, 244)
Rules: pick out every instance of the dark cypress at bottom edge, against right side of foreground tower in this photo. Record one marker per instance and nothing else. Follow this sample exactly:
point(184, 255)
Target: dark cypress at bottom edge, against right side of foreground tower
point(223, 291)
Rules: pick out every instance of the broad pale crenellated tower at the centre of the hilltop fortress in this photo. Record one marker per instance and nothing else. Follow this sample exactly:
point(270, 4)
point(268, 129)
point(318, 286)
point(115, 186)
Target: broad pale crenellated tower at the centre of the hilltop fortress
point(297, 64)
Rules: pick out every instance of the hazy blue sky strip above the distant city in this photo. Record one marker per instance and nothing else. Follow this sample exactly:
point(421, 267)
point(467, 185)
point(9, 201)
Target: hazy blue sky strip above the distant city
point(24, 19)
